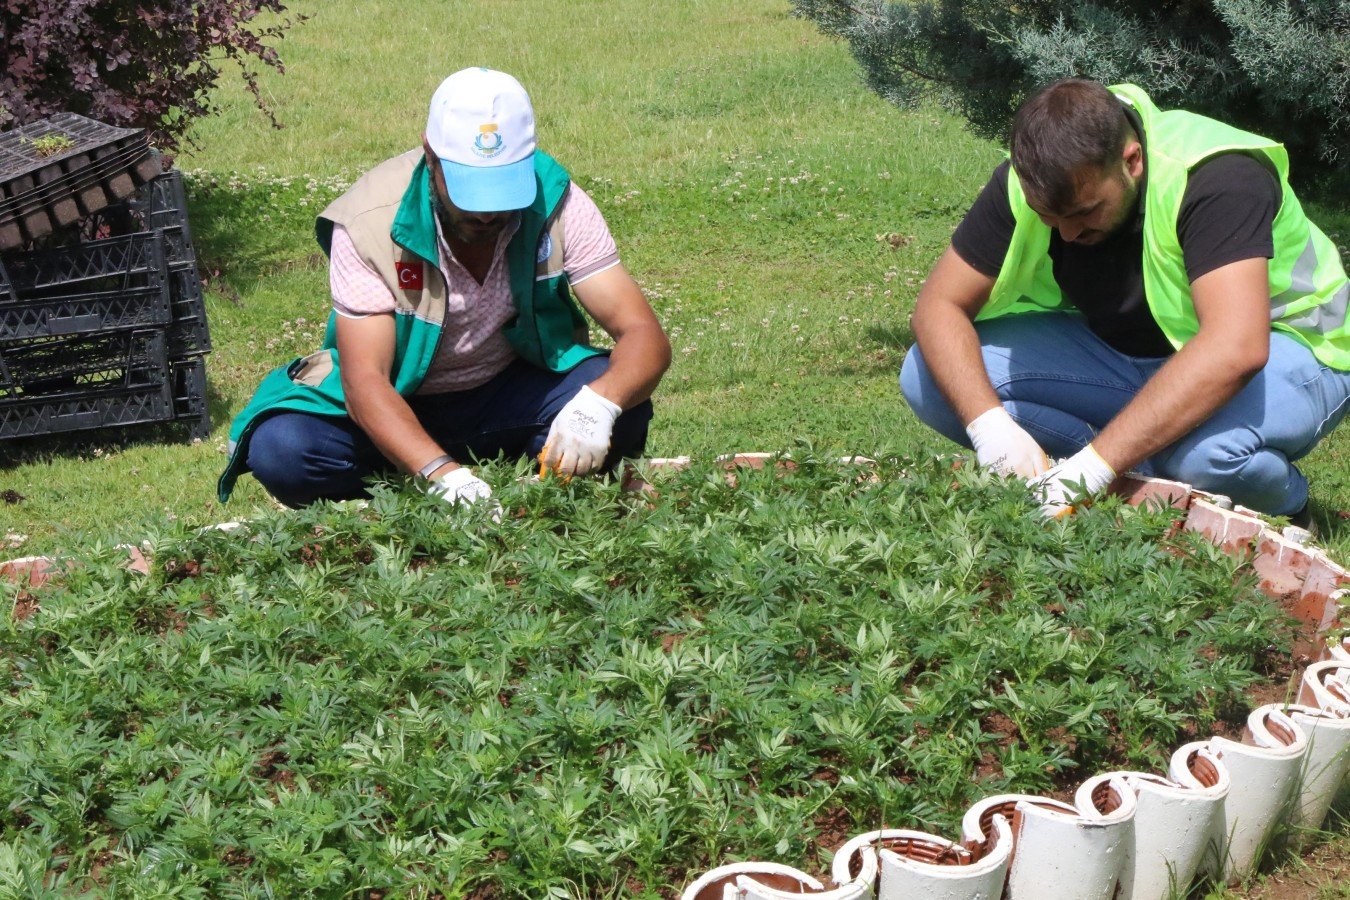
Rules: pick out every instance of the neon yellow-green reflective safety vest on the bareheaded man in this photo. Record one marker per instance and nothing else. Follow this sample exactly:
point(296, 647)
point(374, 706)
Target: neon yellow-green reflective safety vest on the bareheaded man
point(1309, 287)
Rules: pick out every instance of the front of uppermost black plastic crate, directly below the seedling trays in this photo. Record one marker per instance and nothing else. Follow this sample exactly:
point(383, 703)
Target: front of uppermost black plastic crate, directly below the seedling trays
point(113, 284)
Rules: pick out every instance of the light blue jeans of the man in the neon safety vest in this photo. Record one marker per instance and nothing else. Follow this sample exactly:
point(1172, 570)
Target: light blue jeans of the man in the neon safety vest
point(1063, 385)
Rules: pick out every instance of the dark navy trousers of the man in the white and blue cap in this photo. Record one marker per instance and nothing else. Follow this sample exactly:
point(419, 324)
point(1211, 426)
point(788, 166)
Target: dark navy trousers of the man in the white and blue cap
point(302, 458)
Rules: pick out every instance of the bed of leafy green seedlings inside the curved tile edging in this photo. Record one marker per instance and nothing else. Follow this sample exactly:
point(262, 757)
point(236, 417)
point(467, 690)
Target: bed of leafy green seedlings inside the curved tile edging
point(599, 697)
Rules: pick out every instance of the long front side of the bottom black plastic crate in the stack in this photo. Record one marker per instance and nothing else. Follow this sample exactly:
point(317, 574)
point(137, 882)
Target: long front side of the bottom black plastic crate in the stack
point(82, 410)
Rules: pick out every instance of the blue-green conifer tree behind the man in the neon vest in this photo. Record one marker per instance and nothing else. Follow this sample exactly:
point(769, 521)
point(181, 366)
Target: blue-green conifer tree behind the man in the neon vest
point(1280, 68)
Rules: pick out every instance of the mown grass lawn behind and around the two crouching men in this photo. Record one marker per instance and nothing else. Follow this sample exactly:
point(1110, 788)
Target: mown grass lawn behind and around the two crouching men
point(780, 215)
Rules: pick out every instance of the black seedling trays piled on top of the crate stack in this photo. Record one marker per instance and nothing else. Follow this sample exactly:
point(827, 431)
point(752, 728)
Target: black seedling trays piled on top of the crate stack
point(40, 195)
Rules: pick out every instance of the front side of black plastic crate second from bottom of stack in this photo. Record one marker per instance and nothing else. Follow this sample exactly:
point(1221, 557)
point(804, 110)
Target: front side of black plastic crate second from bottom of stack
point(56, 366)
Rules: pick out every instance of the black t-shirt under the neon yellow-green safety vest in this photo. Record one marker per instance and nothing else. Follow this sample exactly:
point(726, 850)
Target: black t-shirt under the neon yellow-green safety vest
point(1228, 211)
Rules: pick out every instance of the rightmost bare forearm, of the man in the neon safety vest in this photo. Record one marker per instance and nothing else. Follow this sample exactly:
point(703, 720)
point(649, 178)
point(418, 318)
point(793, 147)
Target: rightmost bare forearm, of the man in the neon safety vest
point(1190, 388)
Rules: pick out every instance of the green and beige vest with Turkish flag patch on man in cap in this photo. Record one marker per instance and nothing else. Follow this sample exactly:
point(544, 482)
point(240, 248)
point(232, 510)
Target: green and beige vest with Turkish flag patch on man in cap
point(391, 218)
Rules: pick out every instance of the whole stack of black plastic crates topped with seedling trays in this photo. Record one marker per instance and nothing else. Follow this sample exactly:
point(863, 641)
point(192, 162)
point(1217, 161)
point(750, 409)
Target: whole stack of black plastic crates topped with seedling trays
point(102, 315)
